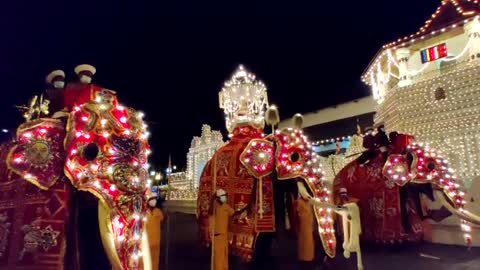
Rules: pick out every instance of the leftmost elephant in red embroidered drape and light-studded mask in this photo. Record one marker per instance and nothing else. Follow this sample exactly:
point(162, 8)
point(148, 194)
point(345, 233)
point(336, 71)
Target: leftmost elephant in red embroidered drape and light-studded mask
point(102, 152)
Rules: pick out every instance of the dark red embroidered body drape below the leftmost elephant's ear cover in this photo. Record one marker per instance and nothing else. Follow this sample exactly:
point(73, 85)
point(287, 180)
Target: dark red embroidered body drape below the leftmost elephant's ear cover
point(32, 221)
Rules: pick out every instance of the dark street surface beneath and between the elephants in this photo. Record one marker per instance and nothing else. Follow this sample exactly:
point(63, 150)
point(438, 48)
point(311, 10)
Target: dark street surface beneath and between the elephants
point(183, 252)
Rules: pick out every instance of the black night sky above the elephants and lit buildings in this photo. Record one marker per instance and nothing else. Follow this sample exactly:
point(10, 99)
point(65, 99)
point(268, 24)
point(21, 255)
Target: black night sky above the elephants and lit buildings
point(170, 58)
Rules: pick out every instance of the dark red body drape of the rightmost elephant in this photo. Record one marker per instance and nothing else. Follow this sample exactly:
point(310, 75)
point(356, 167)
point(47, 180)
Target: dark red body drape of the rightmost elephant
point(380, 202)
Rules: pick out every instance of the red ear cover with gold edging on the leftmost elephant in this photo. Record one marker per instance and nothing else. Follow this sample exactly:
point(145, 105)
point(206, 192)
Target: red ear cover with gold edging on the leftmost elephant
point(38, 155)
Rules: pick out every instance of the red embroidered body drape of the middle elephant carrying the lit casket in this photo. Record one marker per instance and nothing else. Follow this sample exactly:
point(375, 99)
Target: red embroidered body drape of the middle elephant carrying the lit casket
point(225, 171)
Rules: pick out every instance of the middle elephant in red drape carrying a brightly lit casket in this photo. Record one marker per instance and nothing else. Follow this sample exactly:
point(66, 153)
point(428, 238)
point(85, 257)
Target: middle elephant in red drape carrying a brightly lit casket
point(259, 171)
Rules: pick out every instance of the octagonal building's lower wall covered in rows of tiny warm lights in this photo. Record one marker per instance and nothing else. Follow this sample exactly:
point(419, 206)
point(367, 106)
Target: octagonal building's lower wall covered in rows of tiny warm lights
point(452, 124)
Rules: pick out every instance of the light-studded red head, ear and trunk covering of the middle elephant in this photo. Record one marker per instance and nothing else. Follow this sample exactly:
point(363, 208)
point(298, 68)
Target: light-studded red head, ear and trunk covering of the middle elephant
point(293, 158)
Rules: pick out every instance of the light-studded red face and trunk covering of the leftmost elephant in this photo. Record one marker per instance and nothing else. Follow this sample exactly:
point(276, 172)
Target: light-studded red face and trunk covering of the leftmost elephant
point(108, 156)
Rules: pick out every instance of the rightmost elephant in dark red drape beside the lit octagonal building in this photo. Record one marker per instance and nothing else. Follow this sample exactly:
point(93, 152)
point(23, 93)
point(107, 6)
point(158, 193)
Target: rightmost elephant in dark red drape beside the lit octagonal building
point(387, 183)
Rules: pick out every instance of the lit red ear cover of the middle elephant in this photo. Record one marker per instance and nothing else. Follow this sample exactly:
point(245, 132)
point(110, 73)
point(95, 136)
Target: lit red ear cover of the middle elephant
point(259, 157)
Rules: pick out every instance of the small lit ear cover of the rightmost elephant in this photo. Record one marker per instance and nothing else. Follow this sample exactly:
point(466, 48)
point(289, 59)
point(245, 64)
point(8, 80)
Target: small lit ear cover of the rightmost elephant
point(396, 170)
